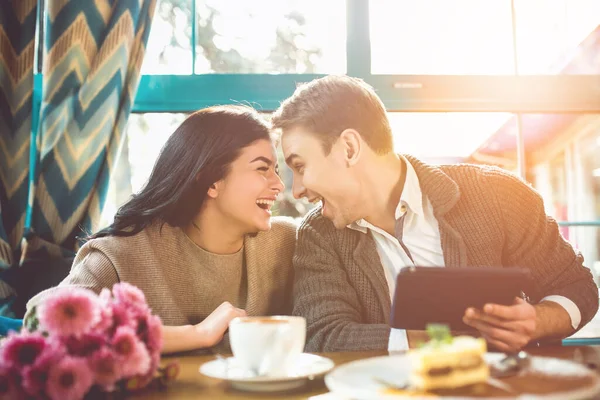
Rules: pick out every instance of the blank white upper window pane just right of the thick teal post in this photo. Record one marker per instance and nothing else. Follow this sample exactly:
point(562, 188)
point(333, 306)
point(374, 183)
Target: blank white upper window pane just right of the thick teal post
point(431, 37)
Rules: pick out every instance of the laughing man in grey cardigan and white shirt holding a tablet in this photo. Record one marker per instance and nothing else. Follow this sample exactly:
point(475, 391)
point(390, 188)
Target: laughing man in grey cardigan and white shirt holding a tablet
point(381, 211)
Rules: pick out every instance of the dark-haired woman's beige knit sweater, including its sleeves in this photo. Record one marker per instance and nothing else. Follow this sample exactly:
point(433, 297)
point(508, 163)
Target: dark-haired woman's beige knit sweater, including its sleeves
point(182, 282)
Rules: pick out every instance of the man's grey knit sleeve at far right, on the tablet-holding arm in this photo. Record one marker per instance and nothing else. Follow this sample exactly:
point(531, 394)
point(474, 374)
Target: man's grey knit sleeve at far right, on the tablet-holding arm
point(533, 240)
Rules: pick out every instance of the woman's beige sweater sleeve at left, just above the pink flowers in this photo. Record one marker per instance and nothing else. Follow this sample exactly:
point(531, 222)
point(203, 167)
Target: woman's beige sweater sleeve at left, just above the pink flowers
point(91, 269)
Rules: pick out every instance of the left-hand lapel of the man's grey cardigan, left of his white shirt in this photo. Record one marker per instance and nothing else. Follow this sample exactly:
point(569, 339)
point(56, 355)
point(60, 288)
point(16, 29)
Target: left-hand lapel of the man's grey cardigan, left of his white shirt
point(366, 258)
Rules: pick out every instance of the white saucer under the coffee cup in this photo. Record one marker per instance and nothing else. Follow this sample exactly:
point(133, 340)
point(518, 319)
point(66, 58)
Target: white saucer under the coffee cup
point(306, 367)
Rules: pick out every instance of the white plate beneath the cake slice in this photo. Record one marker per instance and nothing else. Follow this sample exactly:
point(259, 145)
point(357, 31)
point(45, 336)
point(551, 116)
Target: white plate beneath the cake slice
point(359, 379)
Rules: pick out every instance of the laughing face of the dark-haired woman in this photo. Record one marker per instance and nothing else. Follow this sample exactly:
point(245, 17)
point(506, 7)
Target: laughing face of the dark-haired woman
point(250, 189)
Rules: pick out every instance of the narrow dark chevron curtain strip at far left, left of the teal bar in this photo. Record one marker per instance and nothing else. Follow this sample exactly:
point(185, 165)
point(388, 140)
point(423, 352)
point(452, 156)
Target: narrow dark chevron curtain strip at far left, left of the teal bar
point(17, 44)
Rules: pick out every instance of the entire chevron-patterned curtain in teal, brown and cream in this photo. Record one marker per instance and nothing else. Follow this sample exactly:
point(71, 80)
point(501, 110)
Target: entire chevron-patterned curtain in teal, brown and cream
point(92, 55)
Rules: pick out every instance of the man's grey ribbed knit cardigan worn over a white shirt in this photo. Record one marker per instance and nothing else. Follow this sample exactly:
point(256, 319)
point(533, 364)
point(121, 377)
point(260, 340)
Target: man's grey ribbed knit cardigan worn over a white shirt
point(486, 217)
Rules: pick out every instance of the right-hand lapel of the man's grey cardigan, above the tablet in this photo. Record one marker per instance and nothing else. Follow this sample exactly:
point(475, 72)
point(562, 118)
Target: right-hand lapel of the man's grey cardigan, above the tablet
point(443, 193)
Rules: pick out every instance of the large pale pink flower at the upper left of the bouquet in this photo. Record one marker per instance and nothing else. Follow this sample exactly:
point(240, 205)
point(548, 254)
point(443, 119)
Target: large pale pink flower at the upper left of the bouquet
point(69, 311)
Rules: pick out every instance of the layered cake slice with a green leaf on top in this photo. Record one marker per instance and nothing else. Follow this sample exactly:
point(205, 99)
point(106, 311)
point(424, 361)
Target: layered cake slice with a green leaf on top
point(449, 363)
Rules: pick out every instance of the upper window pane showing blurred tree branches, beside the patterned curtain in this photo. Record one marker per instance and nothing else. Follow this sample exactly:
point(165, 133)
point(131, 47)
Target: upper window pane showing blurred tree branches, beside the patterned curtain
point(248, 37)
